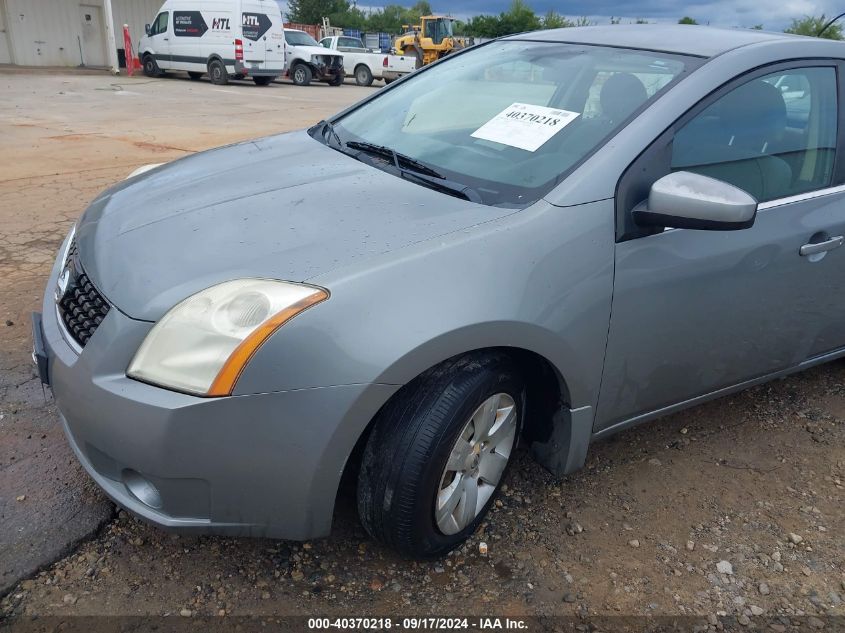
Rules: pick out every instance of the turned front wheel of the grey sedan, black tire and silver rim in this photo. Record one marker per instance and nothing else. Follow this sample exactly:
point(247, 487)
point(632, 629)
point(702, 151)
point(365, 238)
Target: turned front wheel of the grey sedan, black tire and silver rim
point(438, 453)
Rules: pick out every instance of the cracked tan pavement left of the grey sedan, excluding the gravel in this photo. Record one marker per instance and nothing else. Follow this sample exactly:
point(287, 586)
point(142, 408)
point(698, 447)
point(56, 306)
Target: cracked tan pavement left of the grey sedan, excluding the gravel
point(64, 138)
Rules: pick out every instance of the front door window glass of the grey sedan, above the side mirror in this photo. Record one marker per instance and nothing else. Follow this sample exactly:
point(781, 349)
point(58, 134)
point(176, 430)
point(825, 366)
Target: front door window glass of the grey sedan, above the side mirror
point(773, 137)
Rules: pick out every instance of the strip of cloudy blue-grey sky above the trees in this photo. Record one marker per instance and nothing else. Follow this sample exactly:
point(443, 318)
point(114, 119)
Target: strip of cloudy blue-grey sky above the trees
point(772, 14)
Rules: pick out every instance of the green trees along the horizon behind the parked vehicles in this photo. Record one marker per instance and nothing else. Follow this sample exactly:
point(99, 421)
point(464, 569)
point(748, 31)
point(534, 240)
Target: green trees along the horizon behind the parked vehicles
point(518, 18)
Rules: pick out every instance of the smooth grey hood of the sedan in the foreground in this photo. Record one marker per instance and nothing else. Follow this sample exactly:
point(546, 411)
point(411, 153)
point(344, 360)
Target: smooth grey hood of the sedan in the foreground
point(284, 207)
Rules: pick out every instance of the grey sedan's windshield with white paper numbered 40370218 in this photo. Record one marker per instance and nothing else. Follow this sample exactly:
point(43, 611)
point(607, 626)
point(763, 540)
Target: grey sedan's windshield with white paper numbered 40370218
point(510, 119)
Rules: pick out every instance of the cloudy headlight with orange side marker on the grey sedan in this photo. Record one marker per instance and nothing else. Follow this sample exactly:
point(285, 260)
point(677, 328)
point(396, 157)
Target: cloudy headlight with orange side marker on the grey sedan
point(203, 344)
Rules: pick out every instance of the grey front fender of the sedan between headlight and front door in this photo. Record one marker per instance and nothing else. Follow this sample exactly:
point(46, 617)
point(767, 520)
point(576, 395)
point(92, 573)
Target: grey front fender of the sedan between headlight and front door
point(540, 279)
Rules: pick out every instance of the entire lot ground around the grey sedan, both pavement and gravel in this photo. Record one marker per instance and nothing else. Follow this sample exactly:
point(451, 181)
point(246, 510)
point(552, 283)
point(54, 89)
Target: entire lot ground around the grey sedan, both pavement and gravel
point(732, 509)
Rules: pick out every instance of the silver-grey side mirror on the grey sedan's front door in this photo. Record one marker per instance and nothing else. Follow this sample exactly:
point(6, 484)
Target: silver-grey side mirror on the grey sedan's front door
point(683, 200)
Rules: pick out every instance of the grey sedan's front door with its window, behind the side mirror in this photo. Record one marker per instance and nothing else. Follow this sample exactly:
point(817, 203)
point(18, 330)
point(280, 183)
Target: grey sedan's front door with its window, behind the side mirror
point(698, 311)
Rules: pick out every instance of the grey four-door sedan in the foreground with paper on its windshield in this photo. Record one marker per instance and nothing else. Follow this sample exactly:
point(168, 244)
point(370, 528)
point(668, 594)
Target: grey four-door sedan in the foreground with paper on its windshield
point(541, 240)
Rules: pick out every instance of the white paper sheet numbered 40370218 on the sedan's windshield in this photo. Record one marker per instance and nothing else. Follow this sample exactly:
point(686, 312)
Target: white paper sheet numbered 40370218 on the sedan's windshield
point(525, 126)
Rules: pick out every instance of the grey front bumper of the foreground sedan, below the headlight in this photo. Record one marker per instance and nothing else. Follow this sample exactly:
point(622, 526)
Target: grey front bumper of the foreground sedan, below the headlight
point(255, 465)
